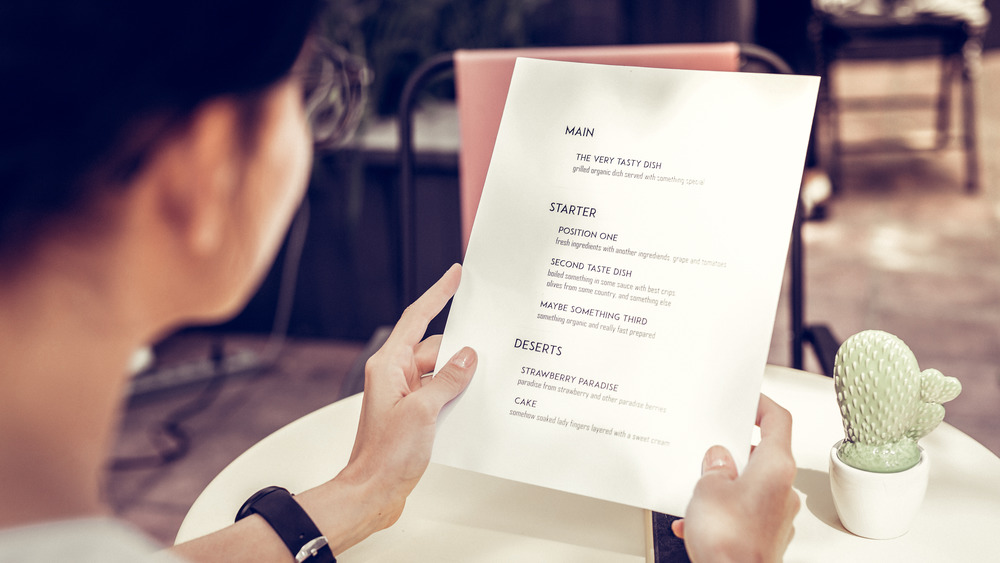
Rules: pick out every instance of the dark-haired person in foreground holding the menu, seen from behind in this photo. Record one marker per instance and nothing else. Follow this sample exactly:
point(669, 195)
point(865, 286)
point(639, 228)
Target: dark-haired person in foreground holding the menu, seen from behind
point(151, 157)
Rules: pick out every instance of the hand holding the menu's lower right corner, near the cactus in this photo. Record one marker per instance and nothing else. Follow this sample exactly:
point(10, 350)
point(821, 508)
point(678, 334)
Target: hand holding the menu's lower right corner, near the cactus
point(745, 517)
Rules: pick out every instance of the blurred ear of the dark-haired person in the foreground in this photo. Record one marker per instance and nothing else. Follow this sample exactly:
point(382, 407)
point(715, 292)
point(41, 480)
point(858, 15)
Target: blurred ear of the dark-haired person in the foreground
point(196, 174)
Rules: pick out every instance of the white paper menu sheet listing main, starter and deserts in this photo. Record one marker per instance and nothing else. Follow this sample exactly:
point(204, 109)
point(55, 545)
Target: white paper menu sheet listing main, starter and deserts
point(622, 276)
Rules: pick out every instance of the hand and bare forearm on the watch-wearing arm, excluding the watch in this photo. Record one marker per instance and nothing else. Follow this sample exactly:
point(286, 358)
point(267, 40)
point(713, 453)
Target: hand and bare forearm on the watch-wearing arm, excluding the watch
point(391, 451)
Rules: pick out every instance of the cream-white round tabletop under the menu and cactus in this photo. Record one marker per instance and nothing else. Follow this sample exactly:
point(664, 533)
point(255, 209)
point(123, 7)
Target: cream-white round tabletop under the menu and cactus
point(456, 515)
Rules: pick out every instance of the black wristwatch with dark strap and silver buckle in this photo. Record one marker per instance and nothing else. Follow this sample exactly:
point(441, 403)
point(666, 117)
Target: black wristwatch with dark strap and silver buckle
point(295, 528)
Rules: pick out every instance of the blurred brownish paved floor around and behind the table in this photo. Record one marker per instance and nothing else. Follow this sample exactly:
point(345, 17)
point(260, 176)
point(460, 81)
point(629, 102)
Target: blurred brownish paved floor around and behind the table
point(904, 249)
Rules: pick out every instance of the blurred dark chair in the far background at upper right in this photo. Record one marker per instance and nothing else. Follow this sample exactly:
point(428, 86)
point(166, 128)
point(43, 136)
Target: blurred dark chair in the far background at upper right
point(952, 30)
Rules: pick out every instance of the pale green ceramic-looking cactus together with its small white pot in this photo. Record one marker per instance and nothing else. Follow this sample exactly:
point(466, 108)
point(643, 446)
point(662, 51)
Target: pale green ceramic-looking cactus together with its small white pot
point(878, 473)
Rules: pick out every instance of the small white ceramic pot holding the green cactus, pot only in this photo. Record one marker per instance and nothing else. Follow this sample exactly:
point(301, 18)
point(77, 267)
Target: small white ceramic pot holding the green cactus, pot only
point(877, 505)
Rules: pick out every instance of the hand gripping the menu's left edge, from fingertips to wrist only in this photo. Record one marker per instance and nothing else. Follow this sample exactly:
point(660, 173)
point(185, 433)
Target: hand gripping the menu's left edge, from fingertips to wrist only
point(402, 402)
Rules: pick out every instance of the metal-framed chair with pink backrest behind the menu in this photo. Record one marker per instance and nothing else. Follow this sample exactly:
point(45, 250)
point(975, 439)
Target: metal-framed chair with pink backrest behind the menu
point(481, 81)
